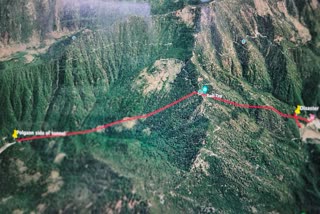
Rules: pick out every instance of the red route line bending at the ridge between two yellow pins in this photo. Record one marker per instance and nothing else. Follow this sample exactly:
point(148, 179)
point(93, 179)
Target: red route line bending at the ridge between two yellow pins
point(297, 118)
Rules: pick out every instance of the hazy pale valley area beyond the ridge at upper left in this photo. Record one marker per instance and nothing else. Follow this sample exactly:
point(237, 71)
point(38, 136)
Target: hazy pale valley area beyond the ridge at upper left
point(32, 24)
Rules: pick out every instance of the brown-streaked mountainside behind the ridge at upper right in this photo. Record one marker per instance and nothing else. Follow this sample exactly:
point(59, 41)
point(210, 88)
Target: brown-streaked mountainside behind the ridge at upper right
point(260, 42)
